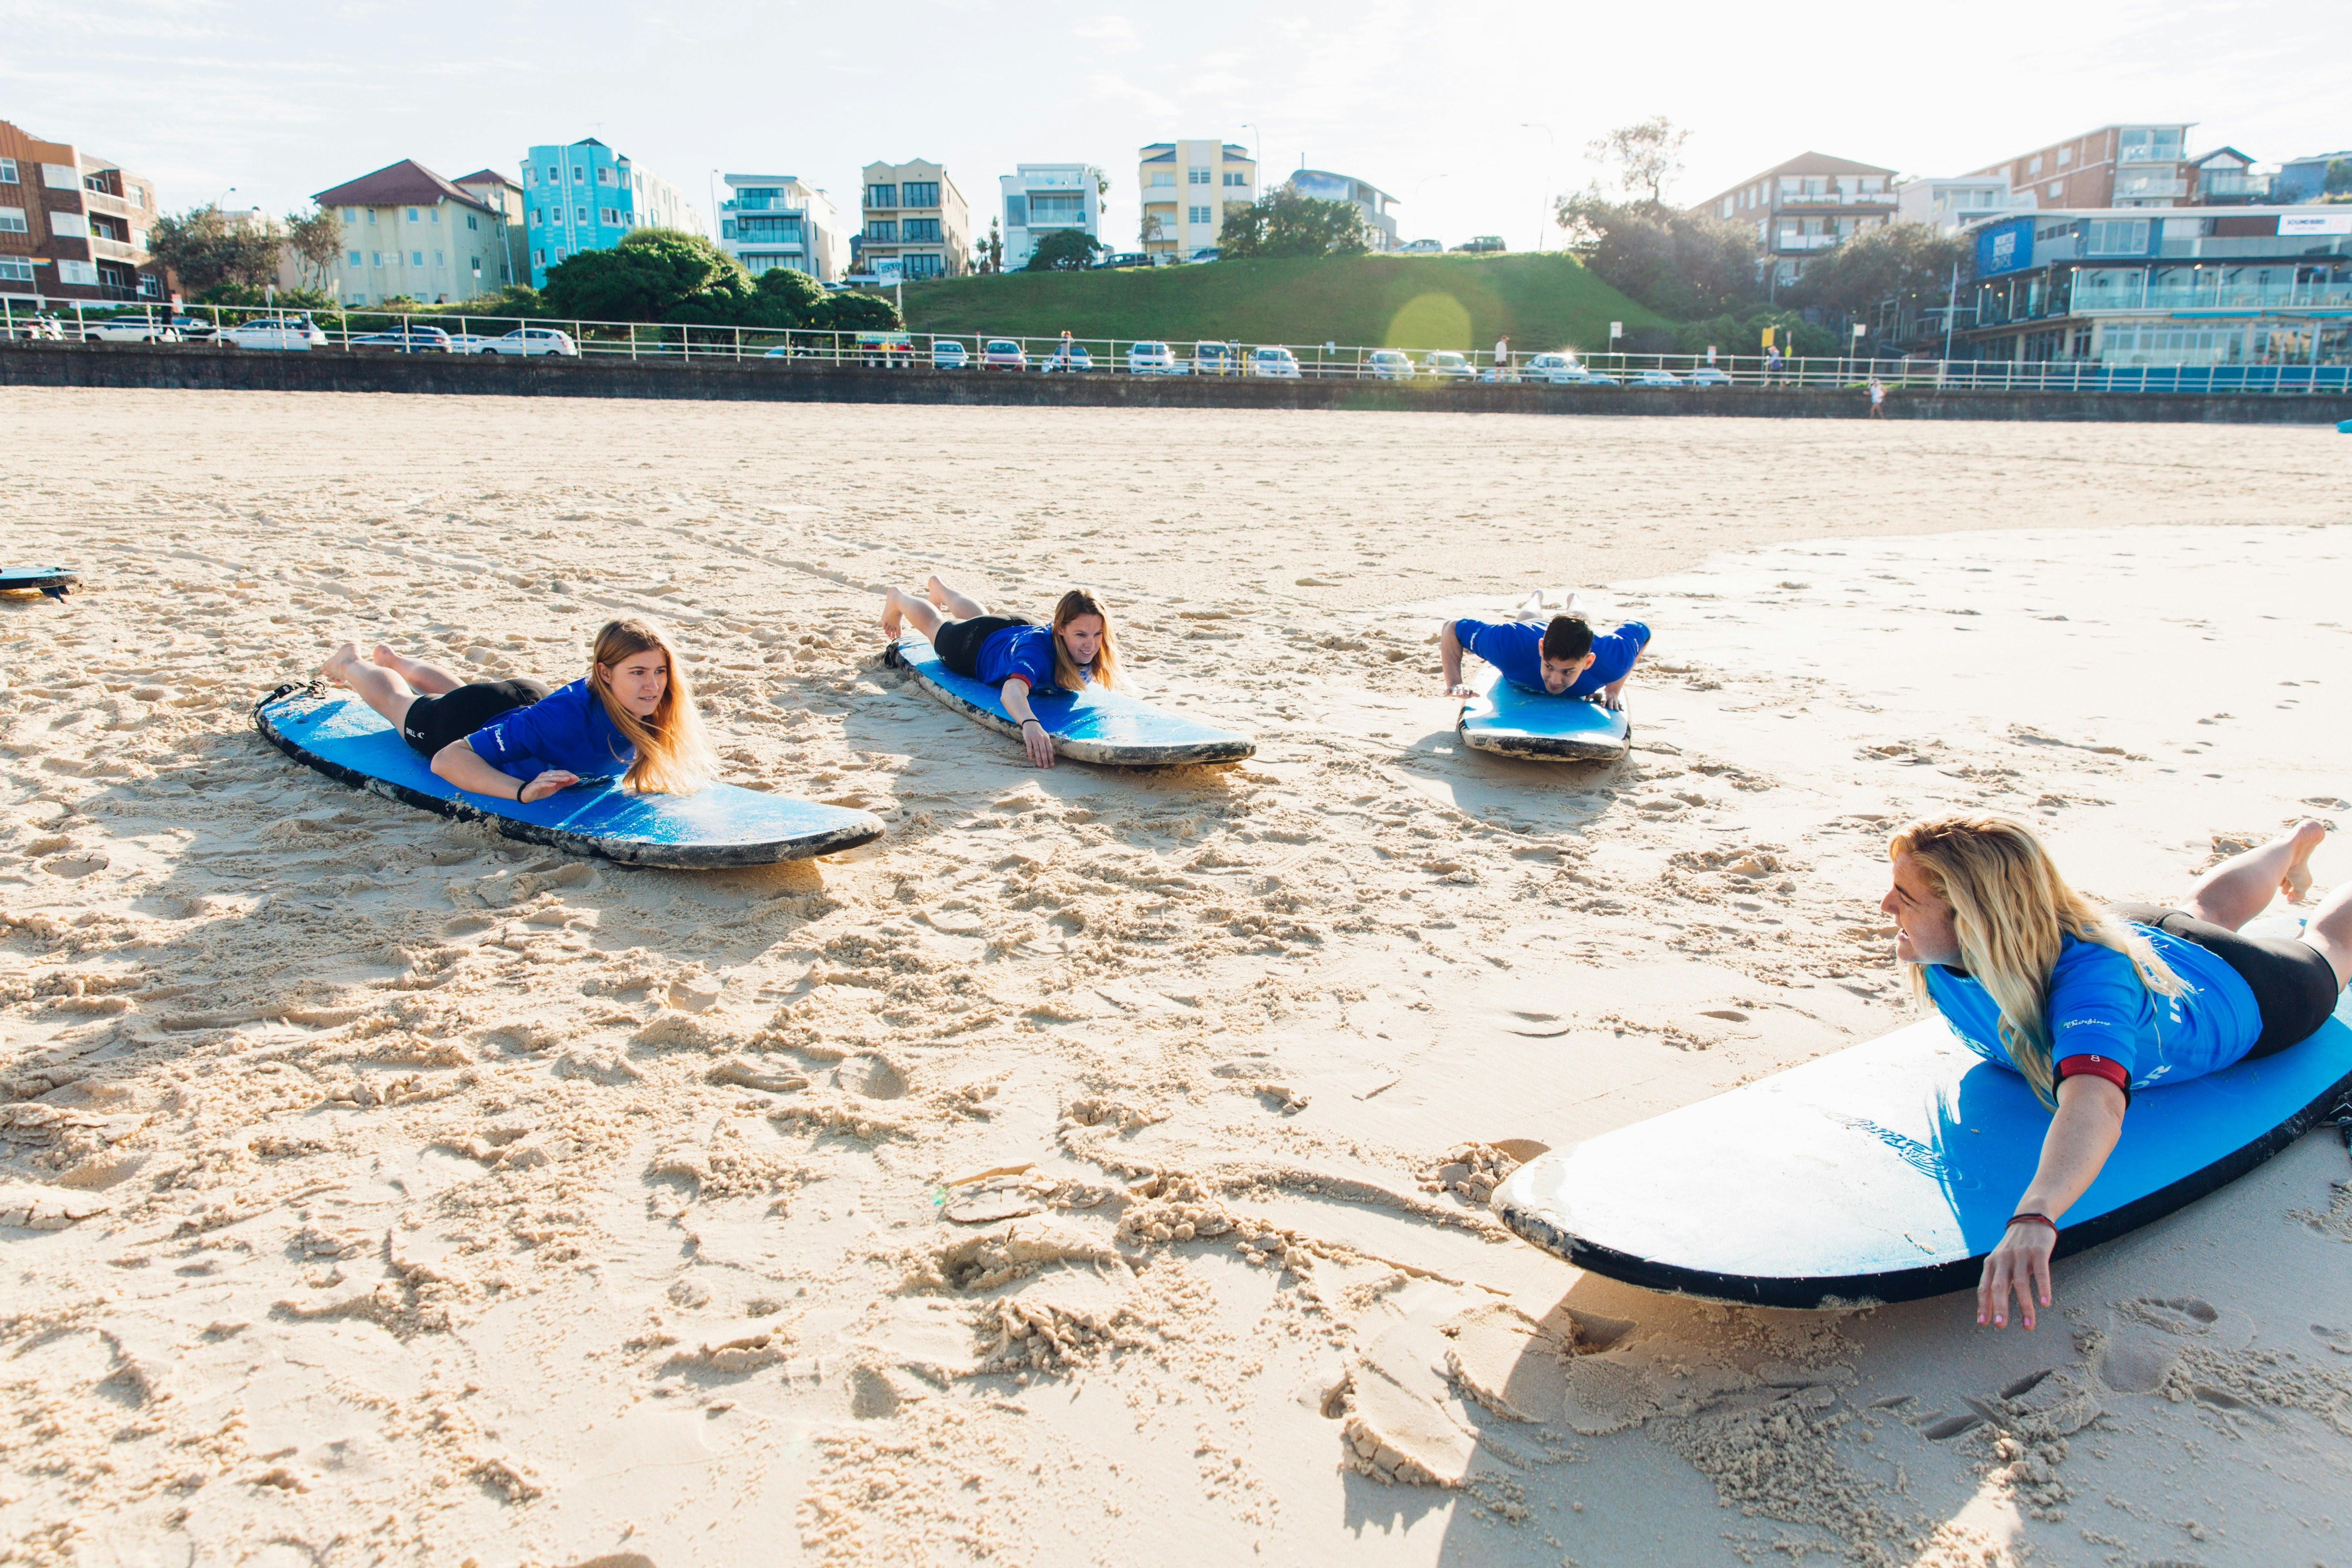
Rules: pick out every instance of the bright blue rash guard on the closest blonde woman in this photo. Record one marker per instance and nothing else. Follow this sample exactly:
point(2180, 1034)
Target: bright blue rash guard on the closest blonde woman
point(2099, 1007)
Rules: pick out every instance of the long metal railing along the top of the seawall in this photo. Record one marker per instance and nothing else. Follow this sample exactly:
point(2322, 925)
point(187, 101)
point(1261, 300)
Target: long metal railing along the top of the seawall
point(363, 330)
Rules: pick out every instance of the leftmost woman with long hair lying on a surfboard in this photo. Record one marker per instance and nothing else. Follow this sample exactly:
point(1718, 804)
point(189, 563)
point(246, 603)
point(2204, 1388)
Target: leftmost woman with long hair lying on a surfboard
point(516, 739)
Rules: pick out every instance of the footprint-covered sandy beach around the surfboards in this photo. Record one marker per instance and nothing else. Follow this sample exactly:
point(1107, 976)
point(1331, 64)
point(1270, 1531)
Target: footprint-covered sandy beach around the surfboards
point(1093, 1170)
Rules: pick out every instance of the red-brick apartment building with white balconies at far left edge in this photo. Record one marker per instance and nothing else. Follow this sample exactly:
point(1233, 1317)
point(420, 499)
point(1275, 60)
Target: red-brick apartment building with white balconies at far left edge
point(72, 225)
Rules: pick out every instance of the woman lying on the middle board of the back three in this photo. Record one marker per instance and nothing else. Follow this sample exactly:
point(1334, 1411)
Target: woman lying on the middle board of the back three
point(1013, 652)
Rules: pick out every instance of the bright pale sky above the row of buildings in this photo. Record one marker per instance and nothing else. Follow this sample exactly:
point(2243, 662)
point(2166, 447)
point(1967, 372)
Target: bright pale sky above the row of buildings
point(1474, 114)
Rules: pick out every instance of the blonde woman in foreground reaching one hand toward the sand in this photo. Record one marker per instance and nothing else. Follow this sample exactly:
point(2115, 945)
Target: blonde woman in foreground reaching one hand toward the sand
point(2092, 1005)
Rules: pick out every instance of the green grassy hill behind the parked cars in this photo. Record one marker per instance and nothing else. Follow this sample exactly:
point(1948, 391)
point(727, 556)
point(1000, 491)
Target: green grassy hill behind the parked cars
point(1396, 302)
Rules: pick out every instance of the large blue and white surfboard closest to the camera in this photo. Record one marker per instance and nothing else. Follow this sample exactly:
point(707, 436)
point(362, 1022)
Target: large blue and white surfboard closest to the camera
point(1887, 1172)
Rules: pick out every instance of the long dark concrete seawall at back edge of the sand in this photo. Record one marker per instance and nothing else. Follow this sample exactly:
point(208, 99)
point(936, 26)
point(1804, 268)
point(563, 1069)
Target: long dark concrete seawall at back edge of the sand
point(147, 366)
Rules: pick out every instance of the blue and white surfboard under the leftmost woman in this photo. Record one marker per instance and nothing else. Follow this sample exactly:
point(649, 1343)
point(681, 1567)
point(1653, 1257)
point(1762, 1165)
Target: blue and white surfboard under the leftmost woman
point(716, 826)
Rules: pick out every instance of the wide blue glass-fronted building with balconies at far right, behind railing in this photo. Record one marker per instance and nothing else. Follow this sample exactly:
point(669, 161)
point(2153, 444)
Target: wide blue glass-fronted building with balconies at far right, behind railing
point(2184, 286)
